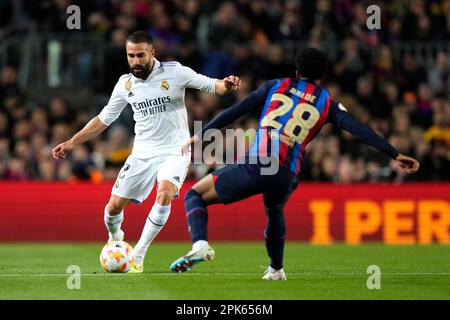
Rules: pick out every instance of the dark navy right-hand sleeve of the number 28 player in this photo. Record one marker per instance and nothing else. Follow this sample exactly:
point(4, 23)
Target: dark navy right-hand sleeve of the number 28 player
point(339, 116)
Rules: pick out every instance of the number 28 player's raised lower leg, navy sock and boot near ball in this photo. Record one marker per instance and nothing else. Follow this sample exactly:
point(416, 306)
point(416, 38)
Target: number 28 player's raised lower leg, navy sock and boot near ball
point(197, 217)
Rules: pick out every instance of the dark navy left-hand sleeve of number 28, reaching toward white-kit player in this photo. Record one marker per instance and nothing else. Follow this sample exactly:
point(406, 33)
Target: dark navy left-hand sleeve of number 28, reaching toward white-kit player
point(253, 101)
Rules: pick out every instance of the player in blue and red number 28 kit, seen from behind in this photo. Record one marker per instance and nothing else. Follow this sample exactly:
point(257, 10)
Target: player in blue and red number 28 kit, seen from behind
point(293, 112)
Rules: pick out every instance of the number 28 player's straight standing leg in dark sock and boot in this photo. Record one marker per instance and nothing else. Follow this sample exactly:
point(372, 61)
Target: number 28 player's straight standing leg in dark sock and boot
point(275, 236)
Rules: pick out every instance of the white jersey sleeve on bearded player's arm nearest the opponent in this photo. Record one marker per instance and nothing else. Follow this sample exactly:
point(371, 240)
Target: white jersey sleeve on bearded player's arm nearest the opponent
point(188, 78)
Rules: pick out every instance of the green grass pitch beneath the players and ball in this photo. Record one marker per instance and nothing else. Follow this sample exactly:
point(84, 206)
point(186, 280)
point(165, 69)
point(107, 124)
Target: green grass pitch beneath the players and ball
point(38, 271)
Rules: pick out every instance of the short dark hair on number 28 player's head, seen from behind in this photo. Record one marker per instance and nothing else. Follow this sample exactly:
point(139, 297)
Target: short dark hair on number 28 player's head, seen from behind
point(311, 63)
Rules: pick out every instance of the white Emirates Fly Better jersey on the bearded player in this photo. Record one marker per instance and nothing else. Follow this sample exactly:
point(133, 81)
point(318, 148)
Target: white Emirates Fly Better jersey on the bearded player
point(158, 107)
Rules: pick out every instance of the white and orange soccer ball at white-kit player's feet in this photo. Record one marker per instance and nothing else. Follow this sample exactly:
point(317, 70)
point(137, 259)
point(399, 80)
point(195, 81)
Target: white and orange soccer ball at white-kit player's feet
point(117, 256)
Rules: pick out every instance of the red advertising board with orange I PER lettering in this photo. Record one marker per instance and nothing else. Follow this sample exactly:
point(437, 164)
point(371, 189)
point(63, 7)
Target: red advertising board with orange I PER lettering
point(317, 213)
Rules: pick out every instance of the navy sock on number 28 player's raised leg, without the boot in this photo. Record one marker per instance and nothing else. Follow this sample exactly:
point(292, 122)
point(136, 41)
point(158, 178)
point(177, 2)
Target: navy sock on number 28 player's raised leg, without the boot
point(197, 215)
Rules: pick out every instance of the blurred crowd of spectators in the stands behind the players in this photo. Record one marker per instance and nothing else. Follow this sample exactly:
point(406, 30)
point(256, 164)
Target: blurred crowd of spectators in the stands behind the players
point(402, 98)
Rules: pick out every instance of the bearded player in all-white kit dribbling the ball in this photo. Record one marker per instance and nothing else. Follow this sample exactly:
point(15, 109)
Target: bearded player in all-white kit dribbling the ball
point(155, 91)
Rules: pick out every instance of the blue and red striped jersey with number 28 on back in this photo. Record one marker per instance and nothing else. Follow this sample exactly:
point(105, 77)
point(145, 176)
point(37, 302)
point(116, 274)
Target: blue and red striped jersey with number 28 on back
point(293, 113)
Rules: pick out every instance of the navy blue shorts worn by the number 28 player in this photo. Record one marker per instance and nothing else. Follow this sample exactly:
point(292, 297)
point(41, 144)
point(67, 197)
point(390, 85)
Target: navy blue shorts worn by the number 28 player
point(239, 181)
